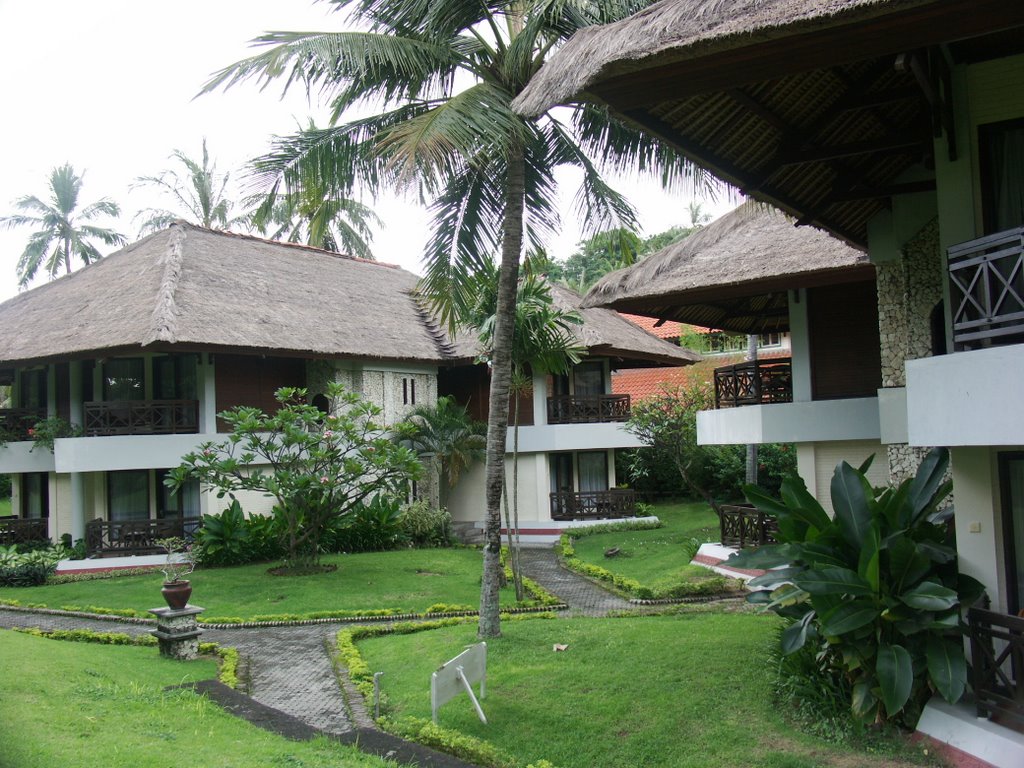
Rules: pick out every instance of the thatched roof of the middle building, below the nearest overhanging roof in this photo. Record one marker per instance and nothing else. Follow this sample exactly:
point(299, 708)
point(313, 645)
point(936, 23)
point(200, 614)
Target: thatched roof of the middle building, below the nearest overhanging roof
point(734, 274)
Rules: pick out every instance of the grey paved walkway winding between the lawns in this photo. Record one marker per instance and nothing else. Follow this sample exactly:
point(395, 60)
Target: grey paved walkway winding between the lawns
point(290, 668)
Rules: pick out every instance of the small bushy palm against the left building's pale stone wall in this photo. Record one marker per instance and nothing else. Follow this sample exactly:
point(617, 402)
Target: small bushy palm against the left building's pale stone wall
point(446, 435)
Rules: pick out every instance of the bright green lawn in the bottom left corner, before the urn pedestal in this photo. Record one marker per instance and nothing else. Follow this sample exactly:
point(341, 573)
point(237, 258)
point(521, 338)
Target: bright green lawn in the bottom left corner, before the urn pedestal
point(81, 706)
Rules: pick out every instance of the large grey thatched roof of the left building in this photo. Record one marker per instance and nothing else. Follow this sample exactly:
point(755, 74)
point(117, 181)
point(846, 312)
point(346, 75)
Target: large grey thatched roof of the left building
point(190, 287)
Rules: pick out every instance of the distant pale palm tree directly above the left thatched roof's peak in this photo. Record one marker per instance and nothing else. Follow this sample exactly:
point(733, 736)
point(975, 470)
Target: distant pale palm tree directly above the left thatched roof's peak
point(199, 192)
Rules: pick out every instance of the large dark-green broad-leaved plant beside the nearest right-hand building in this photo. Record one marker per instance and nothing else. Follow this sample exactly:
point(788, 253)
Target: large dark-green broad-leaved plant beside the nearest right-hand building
point(879, 584)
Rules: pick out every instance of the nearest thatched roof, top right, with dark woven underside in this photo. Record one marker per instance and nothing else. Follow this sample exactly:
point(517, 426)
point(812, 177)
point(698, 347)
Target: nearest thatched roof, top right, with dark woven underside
point(816, 107)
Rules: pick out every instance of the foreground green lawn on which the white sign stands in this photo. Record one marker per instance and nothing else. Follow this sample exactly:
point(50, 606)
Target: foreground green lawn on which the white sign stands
point(691, 690)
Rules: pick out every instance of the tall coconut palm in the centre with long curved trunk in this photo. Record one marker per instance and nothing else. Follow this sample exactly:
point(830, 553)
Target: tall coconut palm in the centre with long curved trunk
point(441, 78)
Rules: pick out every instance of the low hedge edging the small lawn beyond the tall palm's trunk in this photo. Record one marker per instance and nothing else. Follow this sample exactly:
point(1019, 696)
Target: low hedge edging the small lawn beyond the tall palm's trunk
point(630, 588)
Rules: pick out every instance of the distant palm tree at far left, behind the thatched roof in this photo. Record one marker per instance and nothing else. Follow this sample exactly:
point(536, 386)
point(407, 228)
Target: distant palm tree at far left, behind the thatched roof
point(63, 232)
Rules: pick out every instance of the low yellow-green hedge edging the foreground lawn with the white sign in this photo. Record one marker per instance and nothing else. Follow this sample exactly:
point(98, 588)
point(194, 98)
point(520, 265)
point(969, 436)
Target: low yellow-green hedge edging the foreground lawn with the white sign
point(417, 730)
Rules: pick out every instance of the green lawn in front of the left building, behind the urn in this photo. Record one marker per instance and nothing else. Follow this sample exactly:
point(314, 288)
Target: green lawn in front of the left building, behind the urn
point(405, 580)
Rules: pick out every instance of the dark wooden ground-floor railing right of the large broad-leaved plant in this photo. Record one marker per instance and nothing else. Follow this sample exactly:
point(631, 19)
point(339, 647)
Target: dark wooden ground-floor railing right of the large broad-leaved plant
point(998, 666)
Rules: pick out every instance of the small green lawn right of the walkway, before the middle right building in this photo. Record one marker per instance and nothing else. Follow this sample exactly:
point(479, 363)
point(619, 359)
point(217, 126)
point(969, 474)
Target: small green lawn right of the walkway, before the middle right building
point(656, 559)
